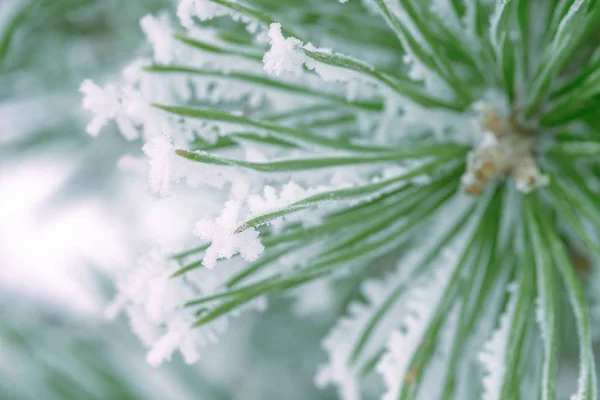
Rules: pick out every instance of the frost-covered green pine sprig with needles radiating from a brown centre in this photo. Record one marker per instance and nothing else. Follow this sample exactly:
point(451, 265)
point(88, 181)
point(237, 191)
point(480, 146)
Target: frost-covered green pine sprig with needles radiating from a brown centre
point(443, 154)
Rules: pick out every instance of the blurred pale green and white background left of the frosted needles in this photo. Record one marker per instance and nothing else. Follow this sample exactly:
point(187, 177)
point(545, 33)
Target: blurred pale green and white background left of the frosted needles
point(70, 218)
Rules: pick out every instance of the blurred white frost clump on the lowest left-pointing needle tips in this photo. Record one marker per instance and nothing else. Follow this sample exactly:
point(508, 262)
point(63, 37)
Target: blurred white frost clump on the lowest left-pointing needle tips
point(154, 303)
